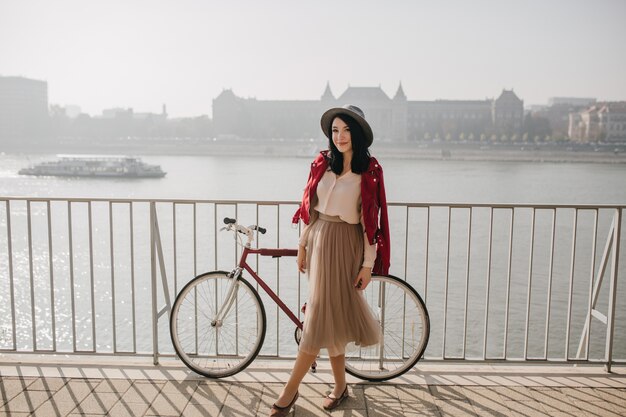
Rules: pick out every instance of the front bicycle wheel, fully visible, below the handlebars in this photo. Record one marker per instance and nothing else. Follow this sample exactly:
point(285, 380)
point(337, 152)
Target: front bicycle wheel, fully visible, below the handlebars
point(210, 348)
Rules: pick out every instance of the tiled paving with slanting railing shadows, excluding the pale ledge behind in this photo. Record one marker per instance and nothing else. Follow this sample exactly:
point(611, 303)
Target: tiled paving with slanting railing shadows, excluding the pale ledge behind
point(49, 396)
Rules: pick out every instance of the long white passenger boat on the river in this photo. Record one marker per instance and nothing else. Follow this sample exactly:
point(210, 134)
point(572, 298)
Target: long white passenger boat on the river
point(95, 166)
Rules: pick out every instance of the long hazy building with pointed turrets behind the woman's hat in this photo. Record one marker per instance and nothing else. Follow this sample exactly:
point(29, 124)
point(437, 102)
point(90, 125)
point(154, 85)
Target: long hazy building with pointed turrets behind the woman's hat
point(394, 118)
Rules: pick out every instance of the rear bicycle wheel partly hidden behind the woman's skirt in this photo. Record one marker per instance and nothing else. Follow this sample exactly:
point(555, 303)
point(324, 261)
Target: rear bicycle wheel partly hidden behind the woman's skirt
point(406, 328)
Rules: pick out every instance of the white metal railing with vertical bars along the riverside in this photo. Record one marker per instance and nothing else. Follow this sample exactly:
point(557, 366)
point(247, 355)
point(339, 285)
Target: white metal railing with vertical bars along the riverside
point(501, 282)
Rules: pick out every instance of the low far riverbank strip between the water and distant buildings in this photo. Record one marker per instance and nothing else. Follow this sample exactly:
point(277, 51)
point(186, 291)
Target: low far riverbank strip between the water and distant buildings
point(611, 154)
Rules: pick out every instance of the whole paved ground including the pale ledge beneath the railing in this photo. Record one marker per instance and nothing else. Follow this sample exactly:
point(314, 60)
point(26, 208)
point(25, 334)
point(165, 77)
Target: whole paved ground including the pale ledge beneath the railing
point(131, 387)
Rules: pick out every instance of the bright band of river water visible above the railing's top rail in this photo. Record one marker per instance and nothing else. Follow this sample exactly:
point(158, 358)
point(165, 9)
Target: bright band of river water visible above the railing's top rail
point(206, 177)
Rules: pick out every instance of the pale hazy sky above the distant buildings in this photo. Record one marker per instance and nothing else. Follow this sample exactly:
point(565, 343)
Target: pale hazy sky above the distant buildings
point(142, 53)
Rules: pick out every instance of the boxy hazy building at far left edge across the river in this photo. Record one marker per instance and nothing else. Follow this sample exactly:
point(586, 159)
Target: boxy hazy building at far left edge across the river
point(23, 108)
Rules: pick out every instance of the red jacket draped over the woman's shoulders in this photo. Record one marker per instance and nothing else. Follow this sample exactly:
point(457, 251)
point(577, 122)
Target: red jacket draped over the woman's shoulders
point(373, 207)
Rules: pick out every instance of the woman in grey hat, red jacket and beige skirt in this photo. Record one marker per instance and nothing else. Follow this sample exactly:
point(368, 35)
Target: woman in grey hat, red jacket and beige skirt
point(346, 237)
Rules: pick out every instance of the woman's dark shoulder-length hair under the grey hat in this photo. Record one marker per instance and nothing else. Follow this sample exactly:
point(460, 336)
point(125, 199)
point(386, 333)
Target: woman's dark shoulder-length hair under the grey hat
point(360, 152)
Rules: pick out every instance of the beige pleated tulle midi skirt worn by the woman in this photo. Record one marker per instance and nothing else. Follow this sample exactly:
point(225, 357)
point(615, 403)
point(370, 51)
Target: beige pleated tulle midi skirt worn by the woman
point(336, 312)
